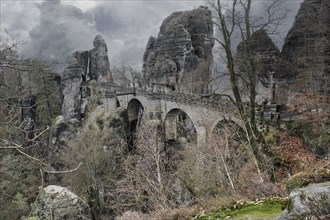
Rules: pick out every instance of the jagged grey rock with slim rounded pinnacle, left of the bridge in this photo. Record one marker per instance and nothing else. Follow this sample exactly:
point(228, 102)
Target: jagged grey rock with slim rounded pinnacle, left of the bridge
point(81, 93)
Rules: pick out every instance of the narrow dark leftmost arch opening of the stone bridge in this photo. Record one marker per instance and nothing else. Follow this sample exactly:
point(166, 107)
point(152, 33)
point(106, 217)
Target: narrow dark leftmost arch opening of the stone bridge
point(135, 112)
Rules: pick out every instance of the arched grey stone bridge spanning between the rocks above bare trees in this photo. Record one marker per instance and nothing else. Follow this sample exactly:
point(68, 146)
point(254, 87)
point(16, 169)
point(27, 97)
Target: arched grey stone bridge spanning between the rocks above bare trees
point(165, 107)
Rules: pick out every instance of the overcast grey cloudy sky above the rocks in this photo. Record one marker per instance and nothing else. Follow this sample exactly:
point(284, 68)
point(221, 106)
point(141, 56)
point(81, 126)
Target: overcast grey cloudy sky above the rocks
point(57, 27)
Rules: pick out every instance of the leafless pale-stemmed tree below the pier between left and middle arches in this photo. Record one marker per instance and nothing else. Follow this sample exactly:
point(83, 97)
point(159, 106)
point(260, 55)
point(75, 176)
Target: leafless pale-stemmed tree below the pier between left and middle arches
point(150, 180)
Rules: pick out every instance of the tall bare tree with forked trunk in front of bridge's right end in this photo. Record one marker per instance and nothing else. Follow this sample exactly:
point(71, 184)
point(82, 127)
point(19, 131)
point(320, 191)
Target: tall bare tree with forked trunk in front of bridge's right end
point(234, 18)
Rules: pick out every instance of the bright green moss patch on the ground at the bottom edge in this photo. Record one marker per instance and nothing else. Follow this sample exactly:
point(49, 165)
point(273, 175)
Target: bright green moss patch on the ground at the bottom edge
point(266, 209)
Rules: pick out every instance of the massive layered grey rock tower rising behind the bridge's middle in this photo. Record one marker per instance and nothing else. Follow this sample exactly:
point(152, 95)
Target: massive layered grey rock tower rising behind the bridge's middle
point(182, 52)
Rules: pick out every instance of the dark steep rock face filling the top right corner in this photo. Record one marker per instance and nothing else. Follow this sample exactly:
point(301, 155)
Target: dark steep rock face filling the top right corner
point(307, 43)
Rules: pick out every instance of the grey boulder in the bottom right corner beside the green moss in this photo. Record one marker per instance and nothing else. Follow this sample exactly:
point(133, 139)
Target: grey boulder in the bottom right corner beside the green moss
point(311, 202)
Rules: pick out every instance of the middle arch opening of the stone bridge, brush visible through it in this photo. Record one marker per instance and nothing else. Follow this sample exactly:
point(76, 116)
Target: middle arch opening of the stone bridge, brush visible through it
point(179, 125)
